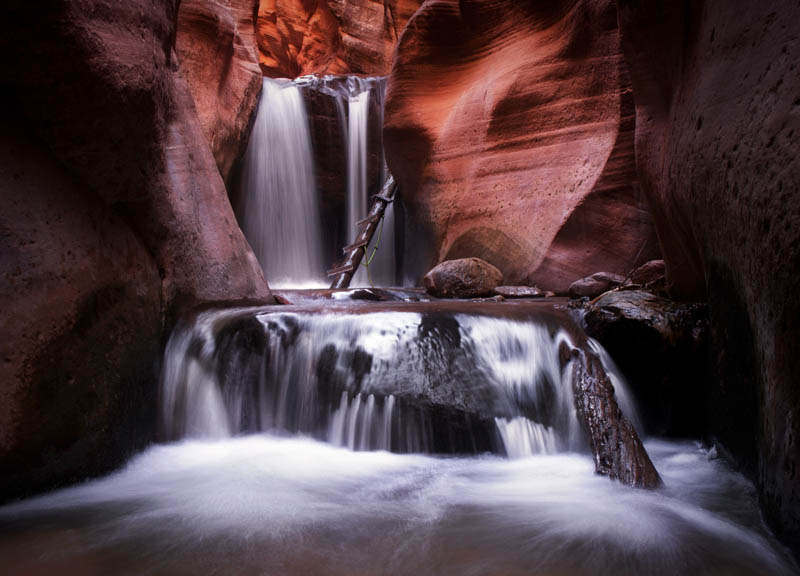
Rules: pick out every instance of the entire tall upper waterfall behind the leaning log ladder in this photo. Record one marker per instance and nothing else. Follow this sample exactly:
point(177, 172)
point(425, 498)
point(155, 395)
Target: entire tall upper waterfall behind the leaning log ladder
point(280, 201)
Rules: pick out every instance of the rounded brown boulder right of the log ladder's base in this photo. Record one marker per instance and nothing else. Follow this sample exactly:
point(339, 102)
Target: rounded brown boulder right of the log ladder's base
point(464, 278)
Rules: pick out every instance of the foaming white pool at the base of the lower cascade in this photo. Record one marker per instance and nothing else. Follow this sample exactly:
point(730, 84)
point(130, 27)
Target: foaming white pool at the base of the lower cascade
point(270, 505)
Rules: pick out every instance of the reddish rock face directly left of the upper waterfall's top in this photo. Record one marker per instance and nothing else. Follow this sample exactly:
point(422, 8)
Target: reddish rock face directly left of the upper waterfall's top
point(218, 54)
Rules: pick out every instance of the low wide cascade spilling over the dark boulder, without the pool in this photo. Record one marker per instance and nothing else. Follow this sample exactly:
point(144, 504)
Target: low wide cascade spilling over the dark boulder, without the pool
point(402, 381)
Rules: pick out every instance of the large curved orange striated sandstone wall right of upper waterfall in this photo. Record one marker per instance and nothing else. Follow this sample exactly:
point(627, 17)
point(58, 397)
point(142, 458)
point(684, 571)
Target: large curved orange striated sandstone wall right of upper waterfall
point(510, 129)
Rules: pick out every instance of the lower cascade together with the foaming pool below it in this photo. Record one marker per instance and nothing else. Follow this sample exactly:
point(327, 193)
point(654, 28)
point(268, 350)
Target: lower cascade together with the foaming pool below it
point(400, 439)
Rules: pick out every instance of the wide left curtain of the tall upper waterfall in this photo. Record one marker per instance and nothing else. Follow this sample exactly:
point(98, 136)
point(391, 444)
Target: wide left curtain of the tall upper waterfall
point(277, 207)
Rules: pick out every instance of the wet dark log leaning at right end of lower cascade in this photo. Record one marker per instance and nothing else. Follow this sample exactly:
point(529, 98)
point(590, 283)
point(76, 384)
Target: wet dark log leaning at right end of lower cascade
point(617, 448)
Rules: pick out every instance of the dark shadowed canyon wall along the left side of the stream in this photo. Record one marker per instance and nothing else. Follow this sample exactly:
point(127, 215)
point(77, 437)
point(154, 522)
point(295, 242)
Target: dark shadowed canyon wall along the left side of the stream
point(115, 221)
